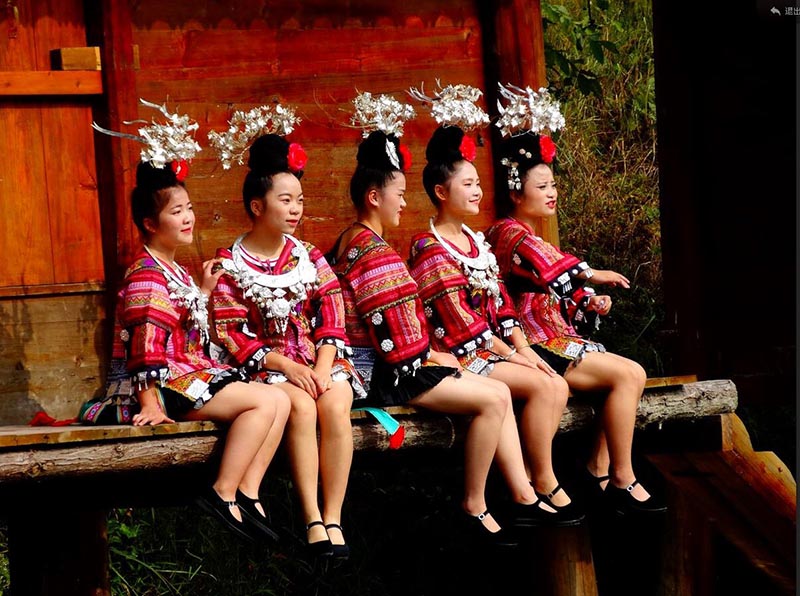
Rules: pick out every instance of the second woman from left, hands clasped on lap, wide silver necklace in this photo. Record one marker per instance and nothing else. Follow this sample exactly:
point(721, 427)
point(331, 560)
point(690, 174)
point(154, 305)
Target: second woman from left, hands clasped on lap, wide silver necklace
point(278, 311)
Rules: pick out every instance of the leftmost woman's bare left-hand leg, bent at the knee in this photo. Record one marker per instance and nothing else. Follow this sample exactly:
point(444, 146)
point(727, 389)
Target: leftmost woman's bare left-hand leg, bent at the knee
point(252, 410)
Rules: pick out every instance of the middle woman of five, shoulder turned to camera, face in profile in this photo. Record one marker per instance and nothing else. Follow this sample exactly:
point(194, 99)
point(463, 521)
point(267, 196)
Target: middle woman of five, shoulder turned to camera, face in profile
point(388, 330)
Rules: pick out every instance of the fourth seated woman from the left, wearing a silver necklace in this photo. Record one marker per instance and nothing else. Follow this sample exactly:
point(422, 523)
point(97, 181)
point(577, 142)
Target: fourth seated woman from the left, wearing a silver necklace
point(469, 312)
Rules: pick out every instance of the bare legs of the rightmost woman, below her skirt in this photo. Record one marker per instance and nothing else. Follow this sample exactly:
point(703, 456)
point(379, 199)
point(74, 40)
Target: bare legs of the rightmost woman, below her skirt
point(624, 380)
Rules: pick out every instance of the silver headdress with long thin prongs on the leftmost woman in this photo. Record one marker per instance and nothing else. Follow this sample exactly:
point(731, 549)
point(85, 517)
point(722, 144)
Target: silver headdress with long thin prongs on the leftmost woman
point(172, 141)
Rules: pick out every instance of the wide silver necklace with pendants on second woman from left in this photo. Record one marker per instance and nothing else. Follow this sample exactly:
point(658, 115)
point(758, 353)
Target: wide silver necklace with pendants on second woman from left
point(275, 295)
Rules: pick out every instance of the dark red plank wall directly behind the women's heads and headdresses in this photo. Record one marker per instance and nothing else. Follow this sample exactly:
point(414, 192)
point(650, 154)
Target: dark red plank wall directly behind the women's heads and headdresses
point(316, 56)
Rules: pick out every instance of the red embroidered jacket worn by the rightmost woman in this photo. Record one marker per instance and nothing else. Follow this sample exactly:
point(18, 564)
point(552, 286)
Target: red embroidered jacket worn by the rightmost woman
point(543, 281)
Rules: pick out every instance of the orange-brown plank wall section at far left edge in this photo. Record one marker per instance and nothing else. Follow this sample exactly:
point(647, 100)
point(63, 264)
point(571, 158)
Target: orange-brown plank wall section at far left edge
point(51, 282)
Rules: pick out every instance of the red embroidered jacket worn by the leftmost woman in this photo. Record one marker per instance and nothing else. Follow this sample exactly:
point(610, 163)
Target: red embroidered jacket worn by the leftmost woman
point(155, 336)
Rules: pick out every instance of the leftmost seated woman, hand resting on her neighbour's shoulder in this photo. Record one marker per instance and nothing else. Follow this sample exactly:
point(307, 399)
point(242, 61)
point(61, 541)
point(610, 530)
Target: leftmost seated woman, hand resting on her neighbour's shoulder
point(162, 335)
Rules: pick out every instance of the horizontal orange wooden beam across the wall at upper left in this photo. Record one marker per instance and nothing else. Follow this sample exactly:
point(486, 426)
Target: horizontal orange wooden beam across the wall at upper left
point(47, 82)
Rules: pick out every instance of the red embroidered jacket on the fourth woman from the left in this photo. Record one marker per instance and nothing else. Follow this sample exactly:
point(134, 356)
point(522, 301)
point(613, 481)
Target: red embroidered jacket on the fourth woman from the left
point(462, 319)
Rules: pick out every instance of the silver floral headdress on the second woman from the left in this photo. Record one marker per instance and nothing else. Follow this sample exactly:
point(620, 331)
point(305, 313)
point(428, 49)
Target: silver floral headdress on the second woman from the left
point(245, 127)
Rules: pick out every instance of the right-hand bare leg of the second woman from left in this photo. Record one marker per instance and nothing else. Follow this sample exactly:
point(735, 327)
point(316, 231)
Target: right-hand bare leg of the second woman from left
point(335, 452)
